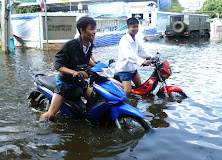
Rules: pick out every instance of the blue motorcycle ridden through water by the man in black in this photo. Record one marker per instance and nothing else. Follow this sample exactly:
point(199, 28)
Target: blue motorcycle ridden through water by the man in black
point(105, 106)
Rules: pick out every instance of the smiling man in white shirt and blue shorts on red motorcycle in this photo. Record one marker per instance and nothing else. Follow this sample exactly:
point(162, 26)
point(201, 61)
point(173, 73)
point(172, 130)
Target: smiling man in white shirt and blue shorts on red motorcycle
point(131, 55)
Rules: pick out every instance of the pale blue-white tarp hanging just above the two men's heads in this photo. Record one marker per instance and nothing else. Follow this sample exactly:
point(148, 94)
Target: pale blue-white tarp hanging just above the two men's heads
point(108, 10)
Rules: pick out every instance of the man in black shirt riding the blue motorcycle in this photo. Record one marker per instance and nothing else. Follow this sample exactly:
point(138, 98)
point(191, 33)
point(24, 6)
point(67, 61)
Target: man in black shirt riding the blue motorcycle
point(74, 52)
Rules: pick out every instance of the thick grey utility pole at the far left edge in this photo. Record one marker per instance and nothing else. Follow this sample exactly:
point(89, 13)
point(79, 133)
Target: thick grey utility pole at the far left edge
point(5, 25)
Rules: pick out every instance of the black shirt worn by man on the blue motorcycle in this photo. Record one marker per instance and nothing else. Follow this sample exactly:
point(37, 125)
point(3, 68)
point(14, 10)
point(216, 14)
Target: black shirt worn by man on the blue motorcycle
point(71, 55)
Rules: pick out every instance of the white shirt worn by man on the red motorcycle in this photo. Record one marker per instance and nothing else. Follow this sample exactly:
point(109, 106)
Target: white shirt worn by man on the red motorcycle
point(131, 54)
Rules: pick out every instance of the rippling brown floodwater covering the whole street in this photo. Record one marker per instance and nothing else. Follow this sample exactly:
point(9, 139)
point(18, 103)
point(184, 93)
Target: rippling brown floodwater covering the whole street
point(188, 129)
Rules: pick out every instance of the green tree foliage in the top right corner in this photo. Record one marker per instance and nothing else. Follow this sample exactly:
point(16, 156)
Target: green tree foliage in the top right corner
point(212, 5)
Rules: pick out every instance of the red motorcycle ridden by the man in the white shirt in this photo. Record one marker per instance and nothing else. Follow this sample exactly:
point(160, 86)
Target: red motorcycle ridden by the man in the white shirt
point(162, 72)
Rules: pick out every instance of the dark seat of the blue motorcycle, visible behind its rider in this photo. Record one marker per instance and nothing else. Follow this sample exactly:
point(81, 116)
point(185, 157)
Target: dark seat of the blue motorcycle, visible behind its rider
point(48, 81)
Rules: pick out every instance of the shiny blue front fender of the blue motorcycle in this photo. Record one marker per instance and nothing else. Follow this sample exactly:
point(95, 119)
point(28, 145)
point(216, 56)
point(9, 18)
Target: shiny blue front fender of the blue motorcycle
point(124, 109)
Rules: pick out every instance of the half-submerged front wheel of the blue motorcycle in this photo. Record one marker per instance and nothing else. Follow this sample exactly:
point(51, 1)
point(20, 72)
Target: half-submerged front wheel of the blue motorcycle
point(132, 124)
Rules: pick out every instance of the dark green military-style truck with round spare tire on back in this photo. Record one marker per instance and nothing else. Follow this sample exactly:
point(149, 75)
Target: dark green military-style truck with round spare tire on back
point(190, 25)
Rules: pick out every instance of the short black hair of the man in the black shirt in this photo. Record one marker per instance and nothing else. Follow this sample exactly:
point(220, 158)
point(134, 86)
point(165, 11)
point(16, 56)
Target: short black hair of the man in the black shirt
point(83, 22)
